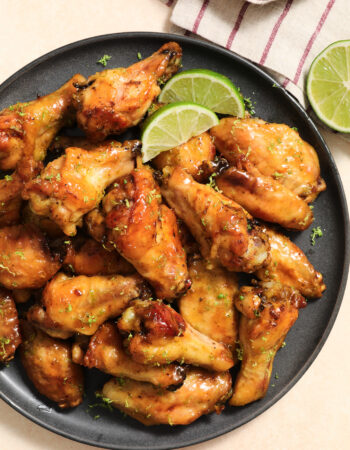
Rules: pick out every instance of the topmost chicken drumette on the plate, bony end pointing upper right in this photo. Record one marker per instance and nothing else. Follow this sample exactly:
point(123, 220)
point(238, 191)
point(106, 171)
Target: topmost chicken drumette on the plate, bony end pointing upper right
point(116, 99)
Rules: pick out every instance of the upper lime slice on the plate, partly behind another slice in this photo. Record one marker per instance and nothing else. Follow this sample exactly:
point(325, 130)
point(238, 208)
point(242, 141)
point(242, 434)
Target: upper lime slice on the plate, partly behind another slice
point(207, 88)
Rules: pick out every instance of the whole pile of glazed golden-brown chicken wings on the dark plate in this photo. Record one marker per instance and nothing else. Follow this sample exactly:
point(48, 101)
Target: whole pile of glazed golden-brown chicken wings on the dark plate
point(134, 269)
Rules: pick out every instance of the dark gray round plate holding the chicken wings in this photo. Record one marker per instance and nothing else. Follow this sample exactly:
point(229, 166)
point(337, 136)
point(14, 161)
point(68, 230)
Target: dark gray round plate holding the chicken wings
point(330, 254)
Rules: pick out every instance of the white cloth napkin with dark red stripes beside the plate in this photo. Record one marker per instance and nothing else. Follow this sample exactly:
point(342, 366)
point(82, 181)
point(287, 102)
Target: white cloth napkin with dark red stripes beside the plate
point(283, 36)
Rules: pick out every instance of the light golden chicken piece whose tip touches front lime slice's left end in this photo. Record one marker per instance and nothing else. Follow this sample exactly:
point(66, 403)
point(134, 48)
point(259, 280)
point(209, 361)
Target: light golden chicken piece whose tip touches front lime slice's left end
point(74, 184)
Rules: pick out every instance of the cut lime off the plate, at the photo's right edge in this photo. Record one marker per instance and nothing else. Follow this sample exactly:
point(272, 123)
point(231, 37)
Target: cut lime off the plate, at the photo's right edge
point(328, 86)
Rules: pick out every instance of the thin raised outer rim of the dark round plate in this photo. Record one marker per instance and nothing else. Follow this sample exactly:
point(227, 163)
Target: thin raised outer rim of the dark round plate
point(344, 210)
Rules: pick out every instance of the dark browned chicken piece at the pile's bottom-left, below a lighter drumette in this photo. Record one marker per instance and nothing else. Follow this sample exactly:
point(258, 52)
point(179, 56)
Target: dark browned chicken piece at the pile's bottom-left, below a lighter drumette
point(48, 364)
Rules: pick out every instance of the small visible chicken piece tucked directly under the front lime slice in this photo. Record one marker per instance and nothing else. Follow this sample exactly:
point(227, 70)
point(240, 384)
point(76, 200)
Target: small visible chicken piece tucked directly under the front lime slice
point(190, 156)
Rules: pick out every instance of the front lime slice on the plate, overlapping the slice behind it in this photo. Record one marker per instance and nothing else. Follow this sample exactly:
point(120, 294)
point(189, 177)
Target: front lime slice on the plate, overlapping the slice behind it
point(173, 125)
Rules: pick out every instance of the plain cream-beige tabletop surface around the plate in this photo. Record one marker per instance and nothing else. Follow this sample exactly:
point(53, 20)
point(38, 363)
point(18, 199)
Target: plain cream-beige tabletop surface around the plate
point(315, 414)
